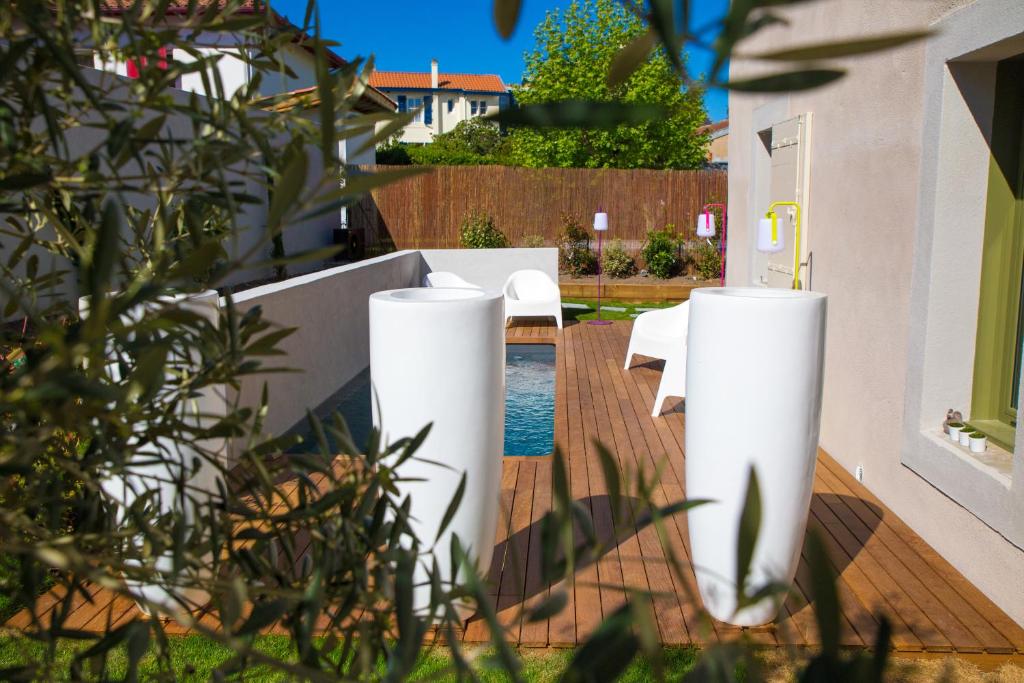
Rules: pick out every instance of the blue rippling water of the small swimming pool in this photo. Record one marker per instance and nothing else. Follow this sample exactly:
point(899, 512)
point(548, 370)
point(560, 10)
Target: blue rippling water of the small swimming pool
point(530, 405)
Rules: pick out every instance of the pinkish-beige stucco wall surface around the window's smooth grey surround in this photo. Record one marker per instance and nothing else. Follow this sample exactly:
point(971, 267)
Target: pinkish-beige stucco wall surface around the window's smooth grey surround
point(862, 221)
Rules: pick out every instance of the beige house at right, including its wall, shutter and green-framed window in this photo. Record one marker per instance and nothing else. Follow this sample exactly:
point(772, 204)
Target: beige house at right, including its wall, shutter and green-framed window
point(910, 174)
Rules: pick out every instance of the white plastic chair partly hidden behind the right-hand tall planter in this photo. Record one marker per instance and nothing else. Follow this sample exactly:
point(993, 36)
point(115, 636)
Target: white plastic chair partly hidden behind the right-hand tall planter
point(662, 334)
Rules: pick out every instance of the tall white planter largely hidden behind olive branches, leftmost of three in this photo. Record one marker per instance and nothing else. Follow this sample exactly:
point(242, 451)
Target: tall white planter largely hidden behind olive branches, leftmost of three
point(186, 479)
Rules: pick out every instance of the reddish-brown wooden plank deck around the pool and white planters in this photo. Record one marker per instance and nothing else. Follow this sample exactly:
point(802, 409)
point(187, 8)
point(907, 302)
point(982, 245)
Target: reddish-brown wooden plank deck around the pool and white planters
point(884, 568)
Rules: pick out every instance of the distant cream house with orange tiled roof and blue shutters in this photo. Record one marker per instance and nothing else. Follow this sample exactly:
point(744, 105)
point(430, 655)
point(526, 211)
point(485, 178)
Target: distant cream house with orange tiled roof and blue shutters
point(441, 101)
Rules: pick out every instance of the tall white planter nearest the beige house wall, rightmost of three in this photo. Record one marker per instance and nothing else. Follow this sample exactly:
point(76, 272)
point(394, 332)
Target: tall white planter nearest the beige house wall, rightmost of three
point(754, 376)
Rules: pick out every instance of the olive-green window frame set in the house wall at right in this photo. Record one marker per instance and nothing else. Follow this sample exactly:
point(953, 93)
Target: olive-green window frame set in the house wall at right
point(1001, 311)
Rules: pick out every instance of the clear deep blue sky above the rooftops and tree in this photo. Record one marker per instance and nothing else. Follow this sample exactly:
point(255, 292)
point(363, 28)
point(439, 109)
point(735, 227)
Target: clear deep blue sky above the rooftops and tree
point(405, 35)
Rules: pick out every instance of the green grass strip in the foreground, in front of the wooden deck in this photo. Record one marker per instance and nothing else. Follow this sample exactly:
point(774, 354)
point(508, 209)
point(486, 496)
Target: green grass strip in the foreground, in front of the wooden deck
point(195, 659)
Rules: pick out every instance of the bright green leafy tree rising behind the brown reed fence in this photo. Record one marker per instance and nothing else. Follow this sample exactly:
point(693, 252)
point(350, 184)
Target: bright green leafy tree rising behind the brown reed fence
point(571, 62)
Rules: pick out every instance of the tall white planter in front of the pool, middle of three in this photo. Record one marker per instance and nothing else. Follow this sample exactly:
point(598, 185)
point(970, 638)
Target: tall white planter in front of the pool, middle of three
point(438, 357)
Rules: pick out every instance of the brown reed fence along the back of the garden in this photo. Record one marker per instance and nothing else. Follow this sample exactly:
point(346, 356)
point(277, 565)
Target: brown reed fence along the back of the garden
point(425, 211)
